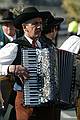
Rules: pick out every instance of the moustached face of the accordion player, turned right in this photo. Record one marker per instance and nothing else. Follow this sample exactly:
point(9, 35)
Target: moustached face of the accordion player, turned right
point(33, 28)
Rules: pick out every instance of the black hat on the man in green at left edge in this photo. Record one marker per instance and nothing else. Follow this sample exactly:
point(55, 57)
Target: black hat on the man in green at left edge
point(7, 17)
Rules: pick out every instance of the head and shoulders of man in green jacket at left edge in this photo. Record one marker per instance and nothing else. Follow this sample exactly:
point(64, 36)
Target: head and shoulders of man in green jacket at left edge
point(8, 32)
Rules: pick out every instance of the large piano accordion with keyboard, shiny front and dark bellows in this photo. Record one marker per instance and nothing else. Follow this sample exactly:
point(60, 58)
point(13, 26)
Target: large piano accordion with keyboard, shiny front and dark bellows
point(52, 76)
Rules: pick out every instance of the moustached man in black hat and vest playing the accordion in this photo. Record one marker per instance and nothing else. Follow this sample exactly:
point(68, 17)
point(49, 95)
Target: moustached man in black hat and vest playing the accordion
point(31, 21)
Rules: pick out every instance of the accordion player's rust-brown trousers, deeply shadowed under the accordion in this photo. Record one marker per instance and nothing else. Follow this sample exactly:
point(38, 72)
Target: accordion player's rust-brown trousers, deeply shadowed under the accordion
point(47, 111)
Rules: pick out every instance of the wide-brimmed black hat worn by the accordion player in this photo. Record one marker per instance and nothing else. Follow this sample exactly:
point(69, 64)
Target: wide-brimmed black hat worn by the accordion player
point(27, 14)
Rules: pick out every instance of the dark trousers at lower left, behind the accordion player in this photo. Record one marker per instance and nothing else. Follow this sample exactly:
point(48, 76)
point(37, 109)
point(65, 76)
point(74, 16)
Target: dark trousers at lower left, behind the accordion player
point(9, 96)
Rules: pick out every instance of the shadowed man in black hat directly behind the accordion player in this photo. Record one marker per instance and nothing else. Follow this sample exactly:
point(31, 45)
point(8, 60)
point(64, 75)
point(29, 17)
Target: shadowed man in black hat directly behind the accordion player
point(50, 30)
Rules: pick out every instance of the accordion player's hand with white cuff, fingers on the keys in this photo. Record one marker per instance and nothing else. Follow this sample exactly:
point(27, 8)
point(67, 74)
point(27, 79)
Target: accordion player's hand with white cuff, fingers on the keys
point(19, 71)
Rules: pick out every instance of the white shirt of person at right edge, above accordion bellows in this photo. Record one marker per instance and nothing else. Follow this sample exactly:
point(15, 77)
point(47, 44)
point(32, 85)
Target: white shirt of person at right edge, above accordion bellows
point(72, 44)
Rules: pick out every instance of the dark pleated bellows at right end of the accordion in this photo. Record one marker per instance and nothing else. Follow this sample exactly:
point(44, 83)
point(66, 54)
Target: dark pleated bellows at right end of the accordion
point(67, 76)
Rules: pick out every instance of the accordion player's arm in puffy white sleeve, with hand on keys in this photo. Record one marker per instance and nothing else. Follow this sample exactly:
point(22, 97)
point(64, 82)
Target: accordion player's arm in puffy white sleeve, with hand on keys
point(7, 55)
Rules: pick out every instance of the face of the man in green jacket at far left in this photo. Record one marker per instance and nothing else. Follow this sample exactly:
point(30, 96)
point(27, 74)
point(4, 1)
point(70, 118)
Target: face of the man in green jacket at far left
point(9, 29)
